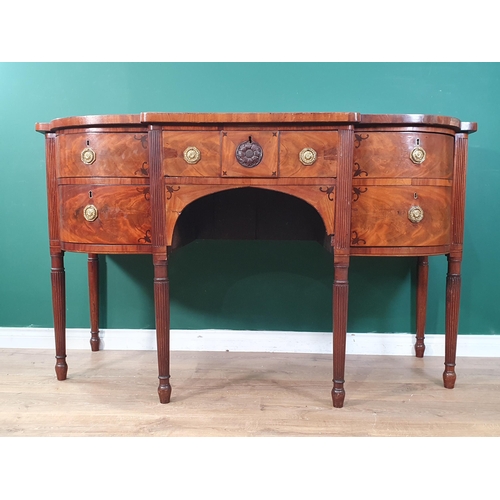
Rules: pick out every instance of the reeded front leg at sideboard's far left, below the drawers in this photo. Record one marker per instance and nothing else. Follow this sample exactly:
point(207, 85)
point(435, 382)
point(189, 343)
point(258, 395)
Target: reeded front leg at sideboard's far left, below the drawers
point(59, 309)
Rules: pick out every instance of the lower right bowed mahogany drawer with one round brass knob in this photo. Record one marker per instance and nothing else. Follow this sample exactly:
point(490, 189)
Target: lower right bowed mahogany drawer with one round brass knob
point(381, 216)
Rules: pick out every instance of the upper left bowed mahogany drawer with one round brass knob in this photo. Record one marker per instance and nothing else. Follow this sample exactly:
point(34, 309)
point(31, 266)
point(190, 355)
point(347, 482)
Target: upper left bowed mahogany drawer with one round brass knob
point(103, 154)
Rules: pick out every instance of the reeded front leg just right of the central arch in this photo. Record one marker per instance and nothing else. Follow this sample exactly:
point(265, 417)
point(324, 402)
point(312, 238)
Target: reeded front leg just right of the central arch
point(340, 303)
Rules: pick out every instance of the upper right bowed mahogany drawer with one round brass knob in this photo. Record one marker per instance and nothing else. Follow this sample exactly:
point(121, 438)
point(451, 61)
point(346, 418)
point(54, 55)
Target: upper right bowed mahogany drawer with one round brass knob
point(403, 154)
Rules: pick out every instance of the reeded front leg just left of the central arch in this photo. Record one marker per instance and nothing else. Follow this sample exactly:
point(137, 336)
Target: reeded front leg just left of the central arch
point(162, 312)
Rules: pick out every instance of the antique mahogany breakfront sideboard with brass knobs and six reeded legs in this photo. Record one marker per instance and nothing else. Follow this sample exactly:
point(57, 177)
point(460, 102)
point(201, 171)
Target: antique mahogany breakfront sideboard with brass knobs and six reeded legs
point(381, 185)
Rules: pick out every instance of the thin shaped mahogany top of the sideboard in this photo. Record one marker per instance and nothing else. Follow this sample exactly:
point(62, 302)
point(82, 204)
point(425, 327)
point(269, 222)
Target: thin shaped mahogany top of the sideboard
point(323, 118)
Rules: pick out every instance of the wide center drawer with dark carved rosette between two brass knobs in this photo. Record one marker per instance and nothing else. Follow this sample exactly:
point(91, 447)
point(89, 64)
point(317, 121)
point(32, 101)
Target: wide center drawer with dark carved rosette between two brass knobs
point(250, 153)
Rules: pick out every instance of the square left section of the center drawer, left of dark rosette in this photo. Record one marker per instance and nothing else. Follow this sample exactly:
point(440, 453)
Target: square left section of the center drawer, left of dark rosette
point(191, 154)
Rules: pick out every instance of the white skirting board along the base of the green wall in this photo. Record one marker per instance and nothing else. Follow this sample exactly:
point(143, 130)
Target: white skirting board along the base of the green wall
point(251, 341)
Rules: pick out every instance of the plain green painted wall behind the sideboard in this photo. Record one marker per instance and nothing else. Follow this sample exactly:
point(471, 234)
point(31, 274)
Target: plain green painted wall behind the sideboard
point(260, 285)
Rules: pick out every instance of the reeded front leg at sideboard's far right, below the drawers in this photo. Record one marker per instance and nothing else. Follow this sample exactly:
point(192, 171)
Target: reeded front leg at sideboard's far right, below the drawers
point(453, 285)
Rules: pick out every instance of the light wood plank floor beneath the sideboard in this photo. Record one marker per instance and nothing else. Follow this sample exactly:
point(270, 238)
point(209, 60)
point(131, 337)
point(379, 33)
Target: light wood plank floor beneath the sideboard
point(113, 393)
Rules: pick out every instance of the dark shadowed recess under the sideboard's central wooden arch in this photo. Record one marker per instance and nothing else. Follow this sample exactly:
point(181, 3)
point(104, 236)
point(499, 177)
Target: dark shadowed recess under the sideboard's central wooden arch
point(249, 213)
